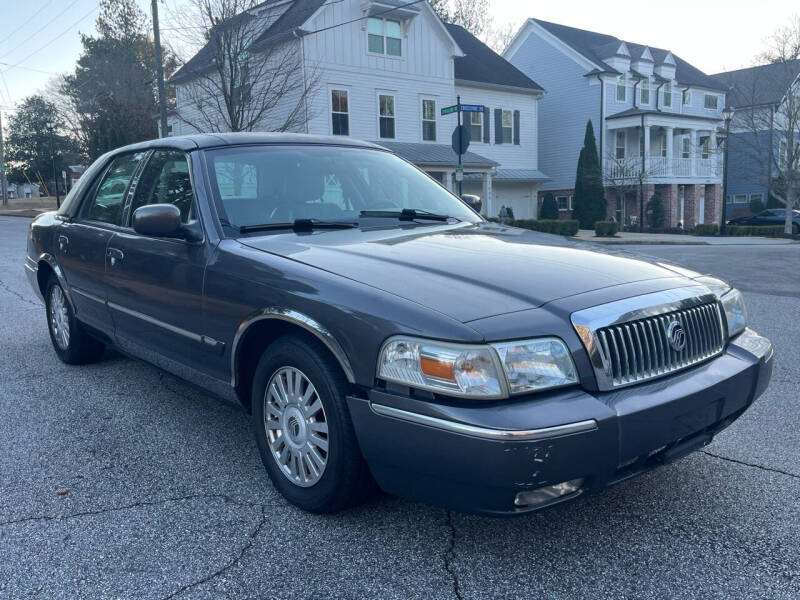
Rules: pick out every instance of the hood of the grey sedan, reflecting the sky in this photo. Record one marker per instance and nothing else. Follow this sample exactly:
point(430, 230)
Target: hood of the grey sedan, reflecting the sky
point(467, 271)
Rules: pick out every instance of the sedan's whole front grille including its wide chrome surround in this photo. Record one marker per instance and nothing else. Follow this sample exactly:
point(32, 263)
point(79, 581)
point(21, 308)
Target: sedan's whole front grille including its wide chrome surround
point(627, 340)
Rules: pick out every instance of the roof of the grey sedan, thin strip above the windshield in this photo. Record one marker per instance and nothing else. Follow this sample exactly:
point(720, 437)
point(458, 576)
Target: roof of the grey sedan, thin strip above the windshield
point(187, 143)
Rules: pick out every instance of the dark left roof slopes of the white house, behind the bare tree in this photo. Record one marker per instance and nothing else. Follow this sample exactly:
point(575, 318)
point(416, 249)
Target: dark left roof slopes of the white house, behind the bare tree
point(284, 27)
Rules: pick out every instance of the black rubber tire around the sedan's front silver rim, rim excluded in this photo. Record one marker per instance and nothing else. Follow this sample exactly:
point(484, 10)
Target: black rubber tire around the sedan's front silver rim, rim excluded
point(345, 480)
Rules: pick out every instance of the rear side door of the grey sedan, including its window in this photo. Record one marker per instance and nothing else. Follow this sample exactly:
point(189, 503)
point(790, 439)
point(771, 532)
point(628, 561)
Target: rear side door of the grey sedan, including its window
point(82, 241)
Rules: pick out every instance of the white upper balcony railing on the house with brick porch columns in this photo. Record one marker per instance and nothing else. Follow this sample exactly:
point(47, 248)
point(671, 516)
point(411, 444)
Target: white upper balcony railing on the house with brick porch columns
point(659, 167)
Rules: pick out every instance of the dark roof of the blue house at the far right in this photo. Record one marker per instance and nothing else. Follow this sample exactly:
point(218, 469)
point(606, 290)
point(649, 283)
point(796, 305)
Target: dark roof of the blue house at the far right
point(761, 85)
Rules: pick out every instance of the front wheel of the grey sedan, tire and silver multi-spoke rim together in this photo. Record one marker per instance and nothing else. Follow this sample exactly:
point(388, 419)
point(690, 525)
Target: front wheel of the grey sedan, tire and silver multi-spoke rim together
point(303, 427)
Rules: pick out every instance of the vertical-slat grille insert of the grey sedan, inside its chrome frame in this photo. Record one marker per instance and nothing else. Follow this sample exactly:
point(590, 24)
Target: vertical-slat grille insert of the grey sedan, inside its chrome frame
point(640, 349)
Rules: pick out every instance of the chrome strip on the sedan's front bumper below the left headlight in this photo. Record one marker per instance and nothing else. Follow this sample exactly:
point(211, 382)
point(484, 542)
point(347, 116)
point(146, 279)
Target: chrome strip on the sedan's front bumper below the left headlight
point(484, 432)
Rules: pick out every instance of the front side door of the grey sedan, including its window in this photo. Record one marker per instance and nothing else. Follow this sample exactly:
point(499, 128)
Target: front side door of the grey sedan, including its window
point(156, 283)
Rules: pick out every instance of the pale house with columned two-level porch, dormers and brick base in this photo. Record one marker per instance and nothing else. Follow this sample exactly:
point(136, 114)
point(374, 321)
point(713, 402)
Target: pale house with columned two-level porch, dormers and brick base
point(656, 118)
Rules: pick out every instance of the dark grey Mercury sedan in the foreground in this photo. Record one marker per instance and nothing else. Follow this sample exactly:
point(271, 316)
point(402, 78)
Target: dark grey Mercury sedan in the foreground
point(378, 330)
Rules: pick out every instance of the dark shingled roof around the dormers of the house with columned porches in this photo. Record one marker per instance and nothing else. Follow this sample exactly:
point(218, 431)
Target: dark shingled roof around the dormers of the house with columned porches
point(595, 47)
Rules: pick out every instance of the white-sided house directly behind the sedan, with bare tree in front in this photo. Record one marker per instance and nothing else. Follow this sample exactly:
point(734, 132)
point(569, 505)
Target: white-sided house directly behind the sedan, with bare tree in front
point(382, 72)
